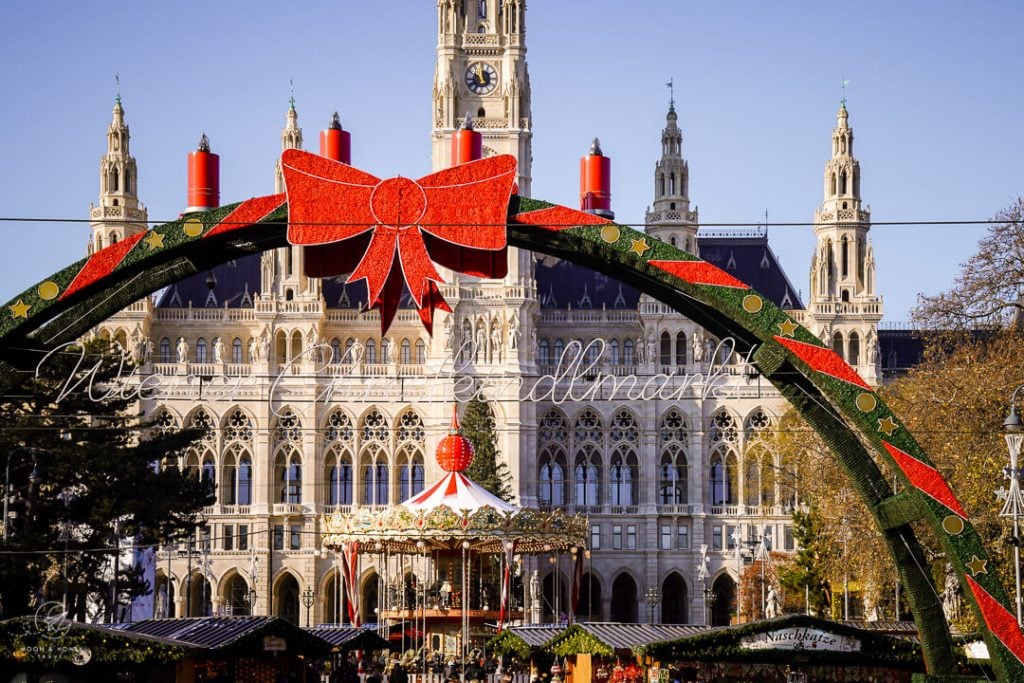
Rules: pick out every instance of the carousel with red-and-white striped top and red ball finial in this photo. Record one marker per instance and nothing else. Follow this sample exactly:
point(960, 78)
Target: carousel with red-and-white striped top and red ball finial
point(451, 561)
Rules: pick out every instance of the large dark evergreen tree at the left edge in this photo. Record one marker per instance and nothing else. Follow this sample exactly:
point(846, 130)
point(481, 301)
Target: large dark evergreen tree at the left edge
point(84, 467)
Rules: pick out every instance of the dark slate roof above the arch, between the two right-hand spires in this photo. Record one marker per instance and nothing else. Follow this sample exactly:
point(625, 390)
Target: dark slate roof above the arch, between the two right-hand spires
point(747, 255)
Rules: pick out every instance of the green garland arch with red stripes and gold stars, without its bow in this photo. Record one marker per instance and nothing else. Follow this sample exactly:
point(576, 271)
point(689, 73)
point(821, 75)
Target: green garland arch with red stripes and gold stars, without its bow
point(860, 430)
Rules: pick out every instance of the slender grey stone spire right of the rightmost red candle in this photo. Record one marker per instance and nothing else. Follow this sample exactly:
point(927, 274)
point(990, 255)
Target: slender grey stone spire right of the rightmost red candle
point(672, 221)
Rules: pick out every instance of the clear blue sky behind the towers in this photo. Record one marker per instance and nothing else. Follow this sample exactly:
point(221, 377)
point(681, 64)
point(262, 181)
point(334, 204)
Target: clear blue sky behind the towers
point(935, 99)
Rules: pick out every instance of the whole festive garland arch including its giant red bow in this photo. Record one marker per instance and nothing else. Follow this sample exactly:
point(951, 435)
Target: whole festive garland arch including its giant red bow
point(392, 233)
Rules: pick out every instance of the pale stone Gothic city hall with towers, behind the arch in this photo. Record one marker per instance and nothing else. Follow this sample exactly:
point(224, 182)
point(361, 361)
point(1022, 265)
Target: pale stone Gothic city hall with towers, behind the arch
point(309, 410)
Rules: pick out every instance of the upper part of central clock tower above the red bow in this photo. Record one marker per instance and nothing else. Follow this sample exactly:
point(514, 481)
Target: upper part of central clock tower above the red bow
point(482, 72)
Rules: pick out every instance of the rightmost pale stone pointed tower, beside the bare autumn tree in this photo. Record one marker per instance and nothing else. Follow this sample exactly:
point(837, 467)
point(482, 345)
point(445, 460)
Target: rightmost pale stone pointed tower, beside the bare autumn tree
point(843, 305)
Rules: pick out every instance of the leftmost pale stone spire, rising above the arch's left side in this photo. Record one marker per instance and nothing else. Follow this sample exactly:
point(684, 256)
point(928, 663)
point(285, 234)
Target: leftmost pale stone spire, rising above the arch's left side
point(120, 215)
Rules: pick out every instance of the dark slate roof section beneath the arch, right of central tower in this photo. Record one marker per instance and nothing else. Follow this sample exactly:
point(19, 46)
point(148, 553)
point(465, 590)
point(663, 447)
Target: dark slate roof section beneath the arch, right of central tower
point(565, 285)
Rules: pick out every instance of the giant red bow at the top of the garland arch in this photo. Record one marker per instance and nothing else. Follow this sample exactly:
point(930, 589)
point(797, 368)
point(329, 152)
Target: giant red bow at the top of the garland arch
point(390, 232)
